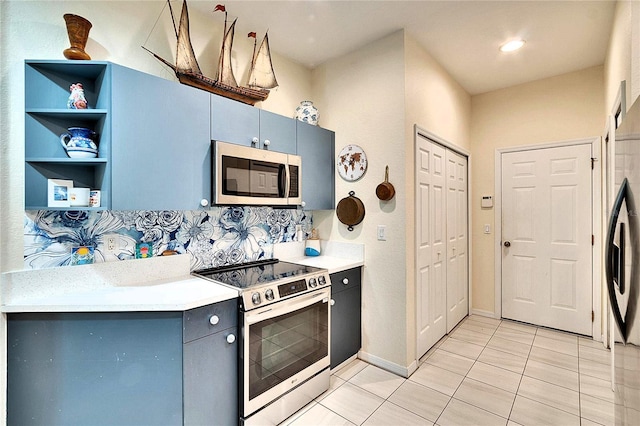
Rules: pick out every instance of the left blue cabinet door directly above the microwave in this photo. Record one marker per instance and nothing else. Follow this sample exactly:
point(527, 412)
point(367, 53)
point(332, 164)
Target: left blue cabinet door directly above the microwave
point(233, 121)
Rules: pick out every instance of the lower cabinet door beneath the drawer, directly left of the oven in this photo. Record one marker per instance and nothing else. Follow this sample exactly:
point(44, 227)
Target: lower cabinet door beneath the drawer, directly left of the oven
point(211, 380)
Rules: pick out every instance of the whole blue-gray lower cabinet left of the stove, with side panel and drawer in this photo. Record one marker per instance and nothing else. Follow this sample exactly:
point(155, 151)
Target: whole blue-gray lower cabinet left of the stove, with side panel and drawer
point(121, 368)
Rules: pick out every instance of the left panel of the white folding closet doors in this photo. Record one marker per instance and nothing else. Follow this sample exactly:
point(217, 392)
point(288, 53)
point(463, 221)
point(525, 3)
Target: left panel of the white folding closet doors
point(431, 243)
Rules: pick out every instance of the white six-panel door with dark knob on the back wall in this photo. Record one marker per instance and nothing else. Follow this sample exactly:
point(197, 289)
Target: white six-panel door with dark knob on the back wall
point(546, 233)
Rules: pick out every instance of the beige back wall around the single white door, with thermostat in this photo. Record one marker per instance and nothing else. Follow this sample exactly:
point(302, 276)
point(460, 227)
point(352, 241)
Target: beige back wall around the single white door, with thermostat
point(550, 110)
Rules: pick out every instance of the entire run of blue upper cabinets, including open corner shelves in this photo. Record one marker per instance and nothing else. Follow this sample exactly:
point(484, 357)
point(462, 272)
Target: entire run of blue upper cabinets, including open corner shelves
point(154, 138)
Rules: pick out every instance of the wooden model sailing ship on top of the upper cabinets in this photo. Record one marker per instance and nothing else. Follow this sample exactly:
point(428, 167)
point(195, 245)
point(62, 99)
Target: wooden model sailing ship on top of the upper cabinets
point(261, 74)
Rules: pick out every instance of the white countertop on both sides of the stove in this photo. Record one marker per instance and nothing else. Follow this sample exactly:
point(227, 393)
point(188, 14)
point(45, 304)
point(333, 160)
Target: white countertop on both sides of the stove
point(155, 284)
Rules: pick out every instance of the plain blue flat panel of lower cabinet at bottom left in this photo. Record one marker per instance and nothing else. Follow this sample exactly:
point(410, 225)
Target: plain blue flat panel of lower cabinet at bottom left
point(100, 368)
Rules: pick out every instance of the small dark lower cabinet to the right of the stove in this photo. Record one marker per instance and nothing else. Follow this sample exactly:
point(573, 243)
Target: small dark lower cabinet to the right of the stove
point(346, 322)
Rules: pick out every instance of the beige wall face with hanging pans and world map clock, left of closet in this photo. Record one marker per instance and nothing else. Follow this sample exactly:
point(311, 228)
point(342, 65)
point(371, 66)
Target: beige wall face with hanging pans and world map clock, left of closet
point(361, 97)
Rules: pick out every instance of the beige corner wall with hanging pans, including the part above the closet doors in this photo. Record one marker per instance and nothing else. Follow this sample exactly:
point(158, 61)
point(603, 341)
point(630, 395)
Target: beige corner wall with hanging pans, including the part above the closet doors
point(374, 98)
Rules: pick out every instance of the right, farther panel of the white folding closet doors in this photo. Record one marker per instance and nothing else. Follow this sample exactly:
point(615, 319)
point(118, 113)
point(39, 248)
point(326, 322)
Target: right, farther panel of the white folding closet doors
point(457, 262)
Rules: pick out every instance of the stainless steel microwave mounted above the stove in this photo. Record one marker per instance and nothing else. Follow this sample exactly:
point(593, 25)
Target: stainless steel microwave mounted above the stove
point(244, 175)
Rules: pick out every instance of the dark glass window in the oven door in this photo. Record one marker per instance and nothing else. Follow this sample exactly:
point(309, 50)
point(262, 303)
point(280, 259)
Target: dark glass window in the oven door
point(283, 346)
